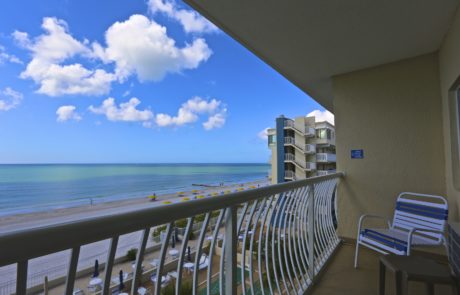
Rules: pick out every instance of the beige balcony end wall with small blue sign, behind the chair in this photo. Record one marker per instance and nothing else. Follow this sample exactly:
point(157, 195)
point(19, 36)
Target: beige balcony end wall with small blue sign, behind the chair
point(393, 112)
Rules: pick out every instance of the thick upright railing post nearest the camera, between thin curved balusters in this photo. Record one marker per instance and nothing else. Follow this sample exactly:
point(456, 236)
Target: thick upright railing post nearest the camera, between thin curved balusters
point(231, 238)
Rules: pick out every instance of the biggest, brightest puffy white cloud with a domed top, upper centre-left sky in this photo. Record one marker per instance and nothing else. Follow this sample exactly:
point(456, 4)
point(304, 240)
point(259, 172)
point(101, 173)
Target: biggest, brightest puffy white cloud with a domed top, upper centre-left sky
point(142, 47)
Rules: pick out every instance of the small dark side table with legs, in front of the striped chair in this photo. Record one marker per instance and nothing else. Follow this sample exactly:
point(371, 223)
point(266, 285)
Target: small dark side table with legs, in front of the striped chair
point(414, 268)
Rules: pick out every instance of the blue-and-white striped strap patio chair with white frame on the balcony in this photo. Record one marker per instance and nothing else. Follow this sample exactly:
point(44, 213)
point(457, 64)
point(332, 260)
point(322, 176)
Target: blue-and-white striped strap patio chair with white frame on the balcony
point(419, 220)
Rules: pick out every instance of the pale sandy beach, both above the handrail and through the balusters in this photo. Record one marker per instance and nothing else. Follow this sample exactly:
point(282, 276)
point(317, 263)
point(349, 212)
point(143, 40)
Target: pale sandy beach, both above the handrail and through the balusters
point(55, 264)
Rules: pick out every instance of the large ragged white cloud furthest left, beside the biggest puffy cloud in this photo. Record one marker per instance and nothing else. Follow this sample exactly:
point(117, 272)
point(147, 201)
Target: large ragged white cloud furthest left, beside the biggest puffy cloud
point(49, 51)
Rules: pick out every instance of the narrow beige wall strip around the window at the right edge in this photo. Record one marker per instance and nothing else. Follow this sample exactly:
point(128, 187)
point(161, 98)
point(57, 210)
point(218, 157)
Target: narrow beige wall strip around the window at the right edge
point(449, 68)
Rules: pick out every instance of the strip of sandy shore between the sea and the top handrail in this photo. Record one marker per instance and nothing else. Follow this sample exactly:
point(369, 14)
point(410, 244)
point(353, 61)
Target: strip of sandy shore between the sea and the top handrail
point(12, 222)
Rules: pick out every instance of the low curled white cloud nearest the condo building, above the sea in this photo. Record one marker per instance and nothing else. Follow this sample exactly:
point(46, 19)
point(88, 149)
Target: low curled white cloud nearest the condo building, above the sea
point(189, 113)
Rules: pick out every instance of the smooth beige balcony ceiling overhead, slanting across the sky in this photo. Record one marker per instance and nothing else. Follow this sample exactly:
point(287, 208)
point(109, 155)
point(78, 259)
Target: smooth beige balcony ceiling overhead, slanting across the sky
point(310, 41)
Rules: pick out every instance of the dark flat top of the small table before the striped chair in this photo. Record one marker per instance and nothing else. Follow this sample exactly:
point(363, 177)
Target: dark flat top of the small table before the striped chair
point(416, 266)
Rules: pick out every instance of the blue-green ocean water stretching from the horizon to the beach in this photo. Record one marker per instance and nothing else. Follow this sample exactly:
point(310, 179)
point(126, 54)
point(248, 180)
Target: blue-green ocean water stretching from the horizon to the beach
point(30, 188)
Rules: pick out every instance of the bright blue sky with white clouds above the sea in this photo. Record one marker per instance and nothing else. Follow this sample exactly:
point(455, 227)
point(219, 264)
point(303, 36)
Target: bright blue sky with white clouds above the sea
point(132, 81)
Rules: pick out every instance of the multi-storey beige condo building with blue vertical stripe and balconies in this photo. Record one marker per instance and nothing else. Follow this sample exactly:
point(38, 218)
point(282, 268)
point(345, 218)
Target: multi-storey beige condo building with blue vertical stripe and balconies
point(301, 148)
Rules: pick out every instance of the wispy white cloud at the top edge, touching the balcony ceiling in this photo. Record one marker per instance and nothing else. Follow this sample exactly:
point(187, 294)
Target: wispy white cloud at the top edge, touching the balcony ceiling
point(190, 20)
